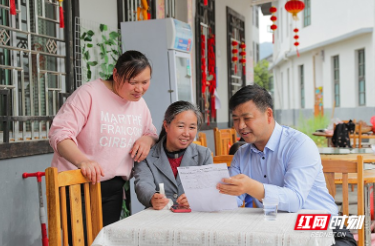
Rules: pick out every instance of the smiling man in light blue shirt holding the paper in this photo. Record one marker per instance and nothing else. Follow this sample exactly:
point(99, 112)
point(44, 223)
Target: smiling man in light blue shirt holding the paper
point(278, 162)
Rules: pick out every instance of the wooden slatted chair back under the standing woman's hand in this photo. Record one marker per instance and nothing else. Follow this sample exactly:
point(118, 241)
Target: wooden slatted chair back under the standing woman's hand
point(56, 184)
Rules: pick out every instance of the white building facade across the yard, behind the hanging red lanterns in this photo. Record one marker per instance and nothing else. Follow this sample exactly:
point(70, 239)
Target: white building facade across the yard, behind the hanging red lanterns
point(334, 72)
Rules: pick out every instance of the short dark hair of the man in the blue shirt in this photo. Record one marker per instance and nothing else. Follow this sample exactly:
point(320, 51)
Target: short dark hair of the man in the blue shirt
point(260, 97)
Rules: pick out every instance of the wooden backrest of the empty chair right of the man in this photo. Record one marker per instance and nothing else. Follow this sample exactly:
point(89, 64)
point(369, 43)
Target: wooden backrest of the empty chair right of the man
point(332, 168)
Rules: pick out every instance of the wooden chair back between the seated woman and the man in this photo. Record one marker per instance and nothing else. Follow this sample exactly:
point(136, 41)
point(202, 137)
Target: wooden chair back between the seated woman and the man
point(224, 138)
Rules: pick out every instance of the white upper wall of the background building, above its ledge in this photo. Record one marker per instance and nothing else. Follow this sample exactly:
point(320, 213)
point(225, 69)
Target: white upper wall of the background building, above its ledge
point(329, 19)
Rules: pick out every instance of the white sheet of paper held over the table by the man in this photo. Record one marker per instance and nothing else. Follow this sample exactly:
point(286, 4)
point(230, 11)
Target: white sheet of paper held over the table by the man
point(200, 182)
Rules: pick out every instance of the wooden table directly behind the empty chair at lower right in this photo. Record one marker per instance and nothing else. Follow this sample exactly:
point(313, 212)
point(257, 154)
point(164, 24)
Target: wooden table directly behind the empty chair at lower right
point(369, 179)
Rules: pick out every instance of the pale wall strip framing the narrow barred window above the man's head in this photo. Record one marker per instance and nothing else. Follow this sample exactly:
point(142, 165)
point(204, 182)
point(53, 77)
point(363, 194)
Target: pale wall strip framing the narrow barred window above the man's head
point(243, 8)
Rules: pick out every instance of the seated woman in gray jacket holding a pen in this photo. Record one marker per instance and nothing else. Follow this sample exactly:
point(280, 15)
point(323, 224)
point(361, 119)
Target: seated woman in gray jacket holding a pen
point(173, 149)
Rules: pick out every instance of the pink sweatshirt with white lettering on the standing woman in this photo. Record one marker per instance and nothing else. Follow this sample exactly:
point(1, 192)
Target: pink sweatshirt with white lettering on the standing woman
point(104, 127)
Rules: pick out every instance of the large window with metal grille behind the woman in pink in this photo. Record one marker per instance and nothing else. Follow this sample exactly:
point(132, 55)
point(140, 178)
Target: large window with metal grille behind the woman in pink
point(35, 73)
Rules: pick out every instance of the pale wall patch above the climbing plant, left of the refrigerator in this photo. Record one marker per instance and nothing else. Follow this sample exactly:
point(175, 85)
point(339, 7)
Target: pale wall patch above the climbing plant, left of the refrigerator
point(99, 11)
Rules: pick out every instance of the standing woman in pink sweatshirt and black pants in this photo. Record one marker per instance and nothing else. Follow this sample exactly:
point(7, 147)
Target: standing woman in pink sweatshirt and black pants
point(103, 127)
